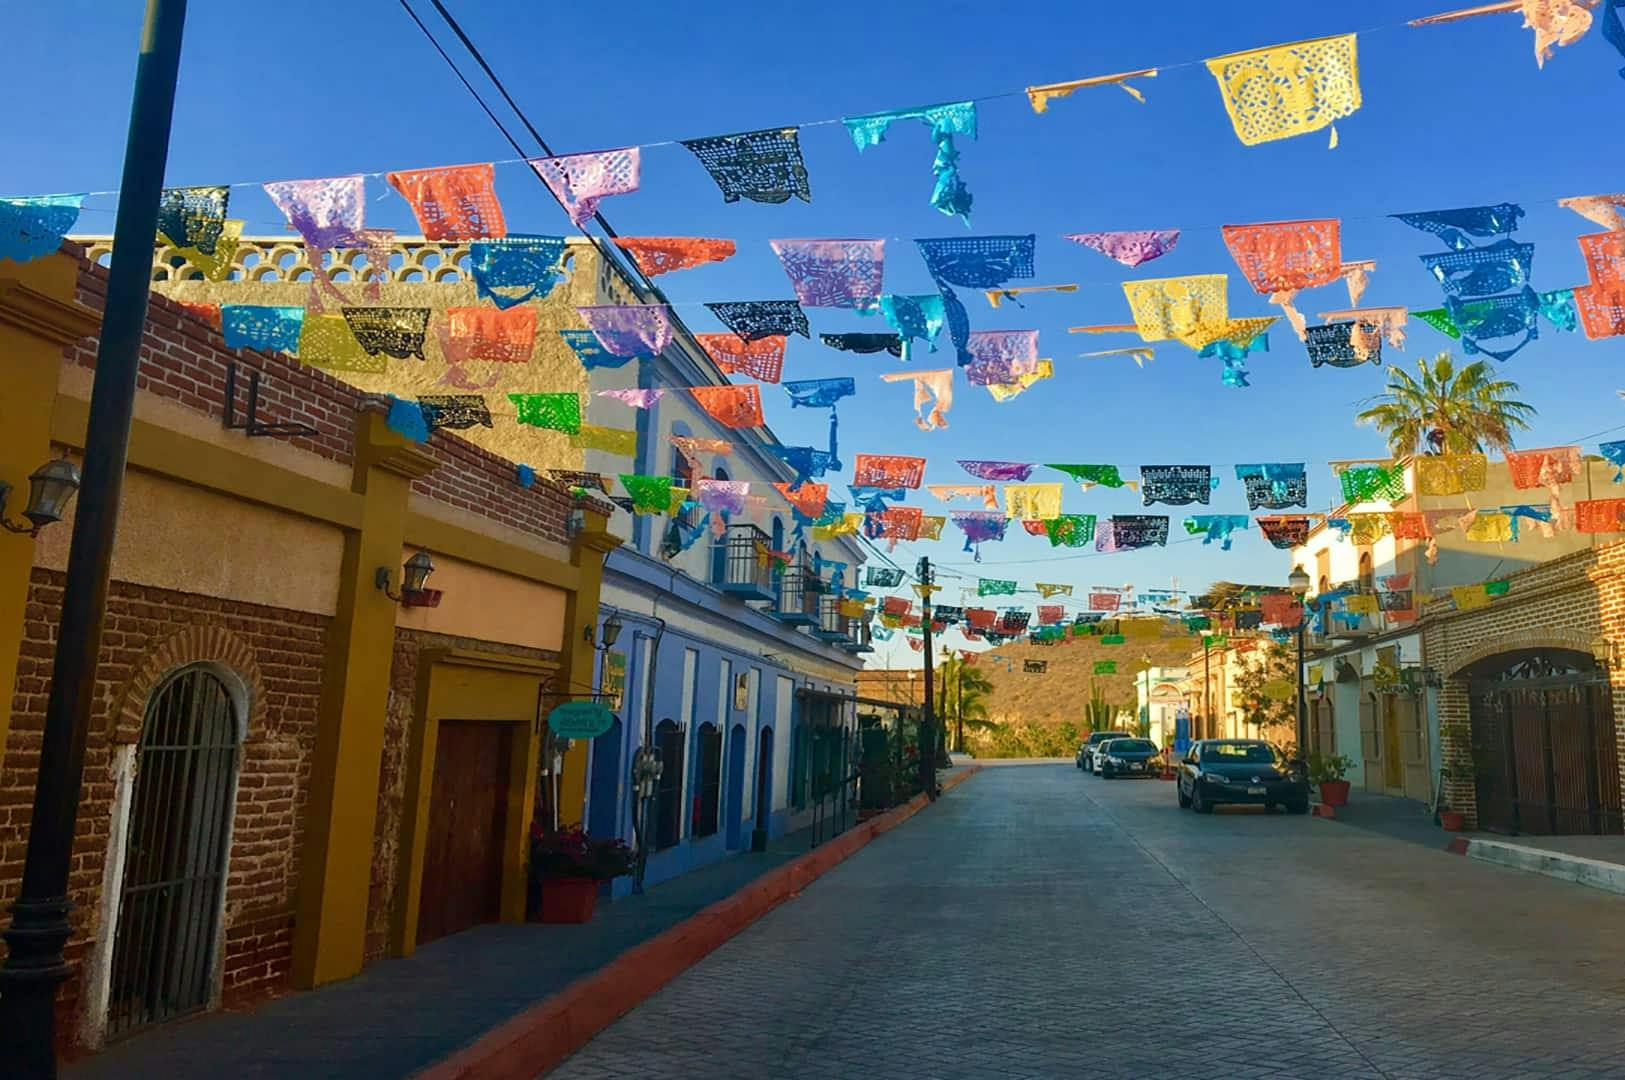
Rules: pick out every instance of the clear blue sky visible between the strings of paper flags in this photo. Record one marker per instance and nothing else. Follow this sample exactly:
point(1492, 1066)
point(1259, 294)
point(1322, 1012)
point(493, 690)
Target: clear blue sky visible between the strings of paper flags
point(1454, 116)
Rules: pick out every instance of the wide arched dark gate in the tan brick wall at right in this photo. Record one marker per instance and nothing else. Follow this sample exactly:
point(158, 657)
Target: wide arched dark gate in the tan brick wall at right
point(1545, 743)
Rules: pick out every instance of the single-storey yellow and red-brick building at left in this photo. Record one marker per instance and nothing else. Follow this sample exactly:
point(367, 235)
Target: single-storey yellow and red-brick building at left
point(284, 741)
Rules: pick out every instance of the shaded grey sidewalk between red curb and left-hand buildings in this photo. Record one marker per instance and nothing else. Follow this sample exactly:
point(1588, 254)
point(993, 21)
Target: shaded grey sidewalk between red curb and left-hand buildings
point(402, 1016)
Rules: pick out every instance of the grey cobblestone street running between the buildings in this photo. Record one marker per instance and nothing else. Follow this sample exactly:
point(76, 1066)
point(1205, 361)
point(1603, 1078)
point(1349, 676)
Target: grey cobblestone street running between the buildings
point(1044, 923)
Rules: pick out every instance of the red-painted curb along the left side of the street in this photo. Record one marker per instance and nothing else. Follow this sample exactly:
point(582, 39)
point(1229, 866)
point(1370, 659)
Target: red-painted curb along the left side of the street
point(557, 1027)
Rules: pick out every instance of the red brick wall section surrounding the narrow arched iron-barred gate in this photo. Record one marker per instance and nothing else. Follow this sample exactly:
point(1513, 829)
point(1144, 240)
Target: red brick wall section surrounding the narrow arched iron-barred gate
point(282, 652)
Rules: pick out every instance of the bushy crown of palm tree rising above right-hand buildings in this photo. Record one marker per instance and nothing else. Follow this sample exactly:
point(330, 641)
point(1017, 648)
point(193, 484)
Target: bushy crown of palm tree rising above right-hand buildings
point(1447, 410)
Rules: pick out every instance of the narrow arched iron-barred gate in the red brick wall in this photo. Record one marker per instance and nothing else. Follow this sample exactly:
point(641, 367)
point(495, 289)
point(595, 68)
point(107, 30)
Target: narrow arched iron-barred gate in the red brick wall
point(175, 865)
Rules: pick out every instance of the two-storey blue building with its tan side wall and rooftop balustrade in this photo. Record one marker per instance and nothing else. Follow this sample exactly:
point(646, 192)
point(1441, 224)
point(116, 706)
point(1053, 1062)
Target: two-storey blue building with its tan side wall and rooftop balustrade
point(737, 665)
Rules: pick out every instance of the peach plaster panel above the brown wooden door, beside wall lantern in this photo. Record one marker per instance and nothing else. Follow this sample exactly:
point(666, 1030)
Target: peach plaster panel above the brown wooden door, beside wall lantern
point(487, 605)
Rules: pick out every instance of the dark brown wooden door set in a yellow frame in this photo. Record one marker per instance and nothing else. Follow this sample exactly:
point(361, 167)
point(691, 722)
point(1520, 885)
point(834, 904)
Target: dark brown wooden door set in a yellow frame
point(462, 870)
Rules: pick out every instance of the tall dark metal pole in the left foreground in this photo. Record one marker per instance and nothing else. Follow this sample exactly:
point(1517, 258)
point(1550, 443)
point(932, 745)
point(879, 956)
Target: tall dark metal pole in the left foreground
point(40, 917)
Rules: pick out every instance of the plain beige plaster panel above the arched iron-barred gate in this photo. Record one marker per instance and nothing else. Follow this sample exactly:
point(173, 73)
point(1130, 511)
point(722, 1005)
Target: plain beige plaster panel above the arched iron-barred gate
point(189, 540)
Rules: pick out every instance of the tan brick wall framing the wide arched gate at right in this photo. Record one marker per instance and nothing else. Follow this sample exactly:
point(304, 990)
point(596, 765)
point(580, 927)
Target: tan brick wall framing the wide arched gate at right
point(1566, 603)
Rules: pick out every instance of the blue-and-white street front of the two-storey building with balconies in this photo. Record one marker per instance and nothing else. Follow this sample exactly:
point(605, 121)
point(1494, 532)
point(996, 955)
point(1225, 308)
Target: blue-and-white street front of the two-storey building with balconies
point(735, 662)
